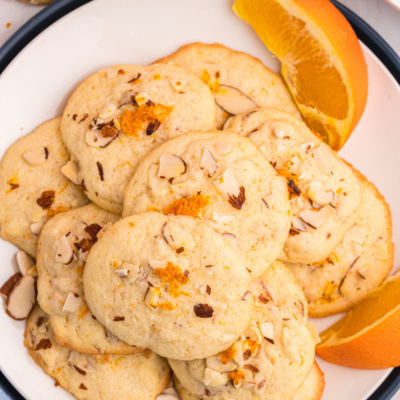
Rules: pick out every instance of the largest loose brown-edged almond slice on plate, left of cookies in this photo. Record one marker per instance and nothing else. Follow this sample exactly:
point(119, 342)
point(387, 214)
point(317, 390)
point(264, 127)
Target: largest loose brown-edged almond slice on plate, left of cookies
point(21, 298)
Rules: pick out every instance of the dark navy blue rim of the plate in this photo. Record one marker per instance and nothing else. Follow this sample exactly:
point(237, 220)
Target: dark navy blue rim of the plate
point(60, 8)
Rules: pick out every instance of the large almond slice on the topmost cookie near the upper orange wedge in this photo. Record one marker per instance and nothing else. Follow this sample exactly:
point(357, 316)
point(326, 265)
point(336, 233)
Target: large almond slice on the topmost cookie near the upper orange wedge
point(233, 101)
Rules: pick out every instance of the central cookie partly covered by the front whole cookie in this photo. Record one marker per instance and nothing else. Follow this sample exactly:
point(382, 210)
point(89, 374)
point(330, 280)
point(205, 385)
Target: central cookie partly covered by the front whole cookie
point(225, 180)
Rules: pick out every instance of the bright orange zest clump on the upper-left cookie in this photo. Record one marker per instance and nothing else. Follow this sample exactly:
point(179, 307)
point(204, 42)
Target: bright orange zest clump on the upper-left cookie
point(133, 121)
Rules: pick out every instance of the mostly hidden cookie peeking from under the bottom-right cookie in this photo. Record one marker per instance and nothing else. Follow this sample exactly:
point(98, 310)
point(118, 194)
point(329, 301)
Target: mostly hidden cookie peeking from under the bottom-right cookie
point(311, 389)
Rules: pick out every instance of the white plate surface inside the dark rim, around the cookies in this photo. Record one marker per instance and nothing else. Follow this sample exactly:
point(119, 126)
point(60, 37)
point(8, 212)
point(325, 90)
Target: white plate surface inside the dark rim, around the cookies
point(36, 85)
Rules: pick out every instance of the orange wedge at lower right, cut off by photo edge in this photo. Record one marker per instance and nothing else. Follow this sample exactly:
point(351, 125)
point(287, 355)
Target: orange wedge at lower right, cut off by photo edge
point(368, 337)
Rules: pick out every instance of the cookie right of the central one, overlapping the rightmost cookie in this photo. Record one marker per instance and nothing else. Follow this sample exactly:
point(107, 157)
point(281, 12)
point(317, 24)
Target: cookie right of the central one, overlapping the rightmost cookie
point(324, 191)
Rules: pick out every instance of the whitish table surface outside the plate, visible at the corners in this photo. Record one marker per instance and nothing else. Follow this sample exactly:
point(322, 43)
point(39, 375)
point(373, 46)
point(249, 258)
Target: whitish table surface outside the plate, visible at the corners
point(379, 14)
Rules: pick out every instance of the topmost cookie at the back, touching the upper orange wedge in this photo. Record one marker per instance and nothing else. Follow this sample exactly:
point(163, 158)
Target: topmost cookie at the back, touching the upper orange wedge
point(238, 81)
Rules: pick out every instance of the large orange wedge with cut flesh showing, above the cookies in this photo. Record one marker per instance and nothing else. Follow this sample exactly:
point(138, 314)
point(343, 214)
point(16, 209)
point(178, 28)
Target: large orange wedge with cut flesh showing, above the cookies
point(322, 61)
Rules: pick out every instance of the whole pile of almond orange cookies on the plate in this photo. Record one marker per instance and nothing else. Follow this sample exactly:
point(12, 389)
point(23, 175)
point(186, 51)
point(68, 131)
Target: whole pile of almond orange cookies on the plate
point(157, 209)
